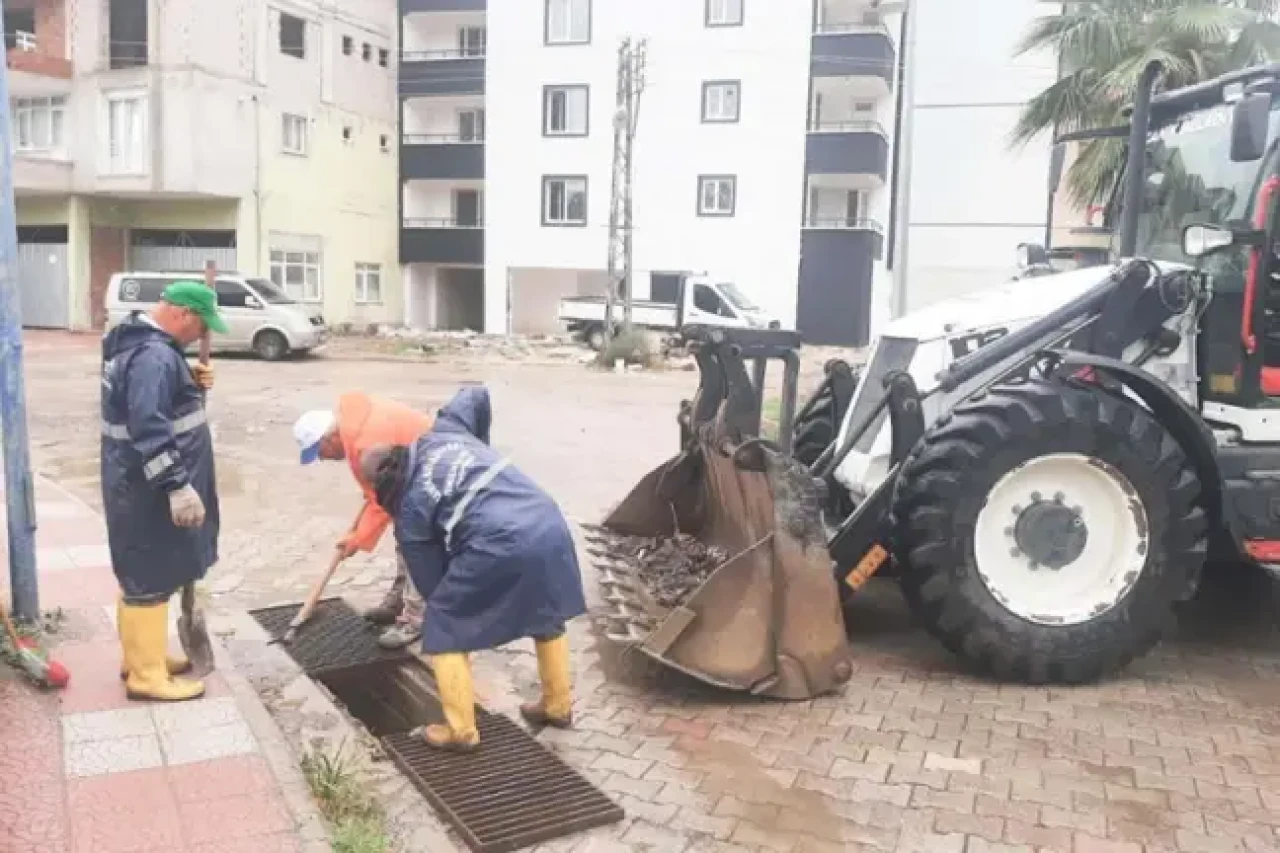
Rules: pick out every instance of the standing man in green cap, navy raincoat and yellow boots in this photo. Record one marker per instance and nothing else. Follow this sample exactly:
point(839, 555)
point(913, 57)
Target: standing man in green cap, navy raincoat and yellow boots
point(159, 490)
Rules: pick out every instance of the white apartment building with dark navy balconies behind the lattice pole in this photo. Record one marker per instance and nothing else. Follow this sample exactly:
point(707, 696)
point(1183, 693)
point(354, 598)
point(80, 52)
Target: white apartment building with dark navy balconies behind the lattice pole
point(765, 156)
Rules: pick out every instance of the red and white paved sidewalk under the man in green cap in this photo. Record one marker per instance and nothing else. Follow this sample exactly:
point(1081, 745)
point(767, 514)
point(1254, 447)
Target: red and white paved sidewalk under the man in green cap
point(85, 770)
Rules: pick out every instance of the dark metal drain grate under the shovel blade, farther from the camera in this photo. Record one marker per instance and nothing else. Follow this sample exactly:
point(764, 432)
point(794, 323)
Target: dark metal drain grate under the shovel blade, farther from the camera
point(335, 638)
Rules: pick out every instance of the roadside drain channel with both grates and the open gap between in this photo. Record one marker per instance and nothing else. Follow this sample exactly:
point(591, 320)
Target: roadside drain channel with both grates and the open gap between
point(509, 795)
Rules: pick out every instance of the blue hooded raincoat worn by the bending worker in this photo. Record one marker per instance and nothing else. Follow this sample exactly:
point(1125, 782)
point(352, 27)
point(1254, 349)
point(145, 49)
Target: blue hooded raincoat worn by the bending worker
point(490, 551)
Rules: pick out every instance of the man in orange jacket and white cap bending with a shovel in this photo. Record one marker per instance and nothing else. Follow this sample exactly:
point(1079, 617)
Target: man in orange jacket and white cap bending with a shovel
point(359, 423)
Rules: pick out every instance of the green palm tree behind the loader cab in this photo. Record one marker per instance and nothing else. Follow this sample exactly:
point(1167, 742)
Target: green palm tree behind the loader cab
point(1105, 45)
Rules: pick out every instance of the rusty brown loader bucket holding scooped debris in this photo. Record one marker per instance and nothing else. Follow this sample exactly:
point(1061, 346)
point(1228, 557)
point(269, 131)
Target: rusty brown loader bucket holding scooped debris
point(716, 564)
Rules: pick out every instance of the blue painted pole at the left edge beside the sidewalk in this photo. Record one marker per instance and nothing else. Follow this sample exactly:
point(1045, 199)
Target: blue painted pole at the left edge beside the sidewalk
point(20, 495)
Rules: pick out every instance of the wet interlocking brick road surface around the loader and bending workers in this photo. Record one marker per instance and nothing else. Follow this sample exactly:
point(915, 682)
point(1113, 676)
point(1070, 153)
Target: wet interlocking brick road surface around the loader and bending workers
point(1180, 754)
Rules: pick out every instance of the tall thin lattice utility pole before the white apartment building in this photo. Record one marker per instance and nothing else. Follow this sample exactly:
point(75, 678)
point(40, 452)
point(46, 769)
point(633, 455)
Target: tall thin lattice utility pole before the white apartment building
point(621, 267)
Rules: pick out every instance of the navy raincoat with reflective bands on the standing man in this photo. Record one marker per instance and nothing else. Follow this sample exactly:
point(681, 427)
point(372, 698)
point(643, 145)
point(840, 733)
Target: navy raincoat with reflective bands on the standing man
point(156, 440)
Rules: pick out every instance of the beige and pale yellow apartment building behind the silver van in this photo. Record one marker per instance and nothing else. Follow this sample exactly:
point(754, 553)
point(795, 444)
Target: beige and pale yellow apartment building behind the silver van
point(159, 135)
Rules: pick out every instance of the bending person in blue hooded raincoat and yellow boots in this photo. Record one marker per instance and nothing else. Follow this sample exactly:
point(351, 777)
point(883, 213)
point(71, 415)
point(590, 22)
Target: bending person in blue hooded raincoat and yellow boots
point(492, 556)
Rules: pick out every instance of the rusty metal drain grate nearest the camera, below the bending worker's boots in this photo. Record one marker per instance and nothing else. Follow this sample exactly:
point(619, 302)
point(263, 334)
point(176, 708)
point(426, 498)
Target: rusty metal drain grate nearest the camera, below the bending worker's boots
point(510, 793)
